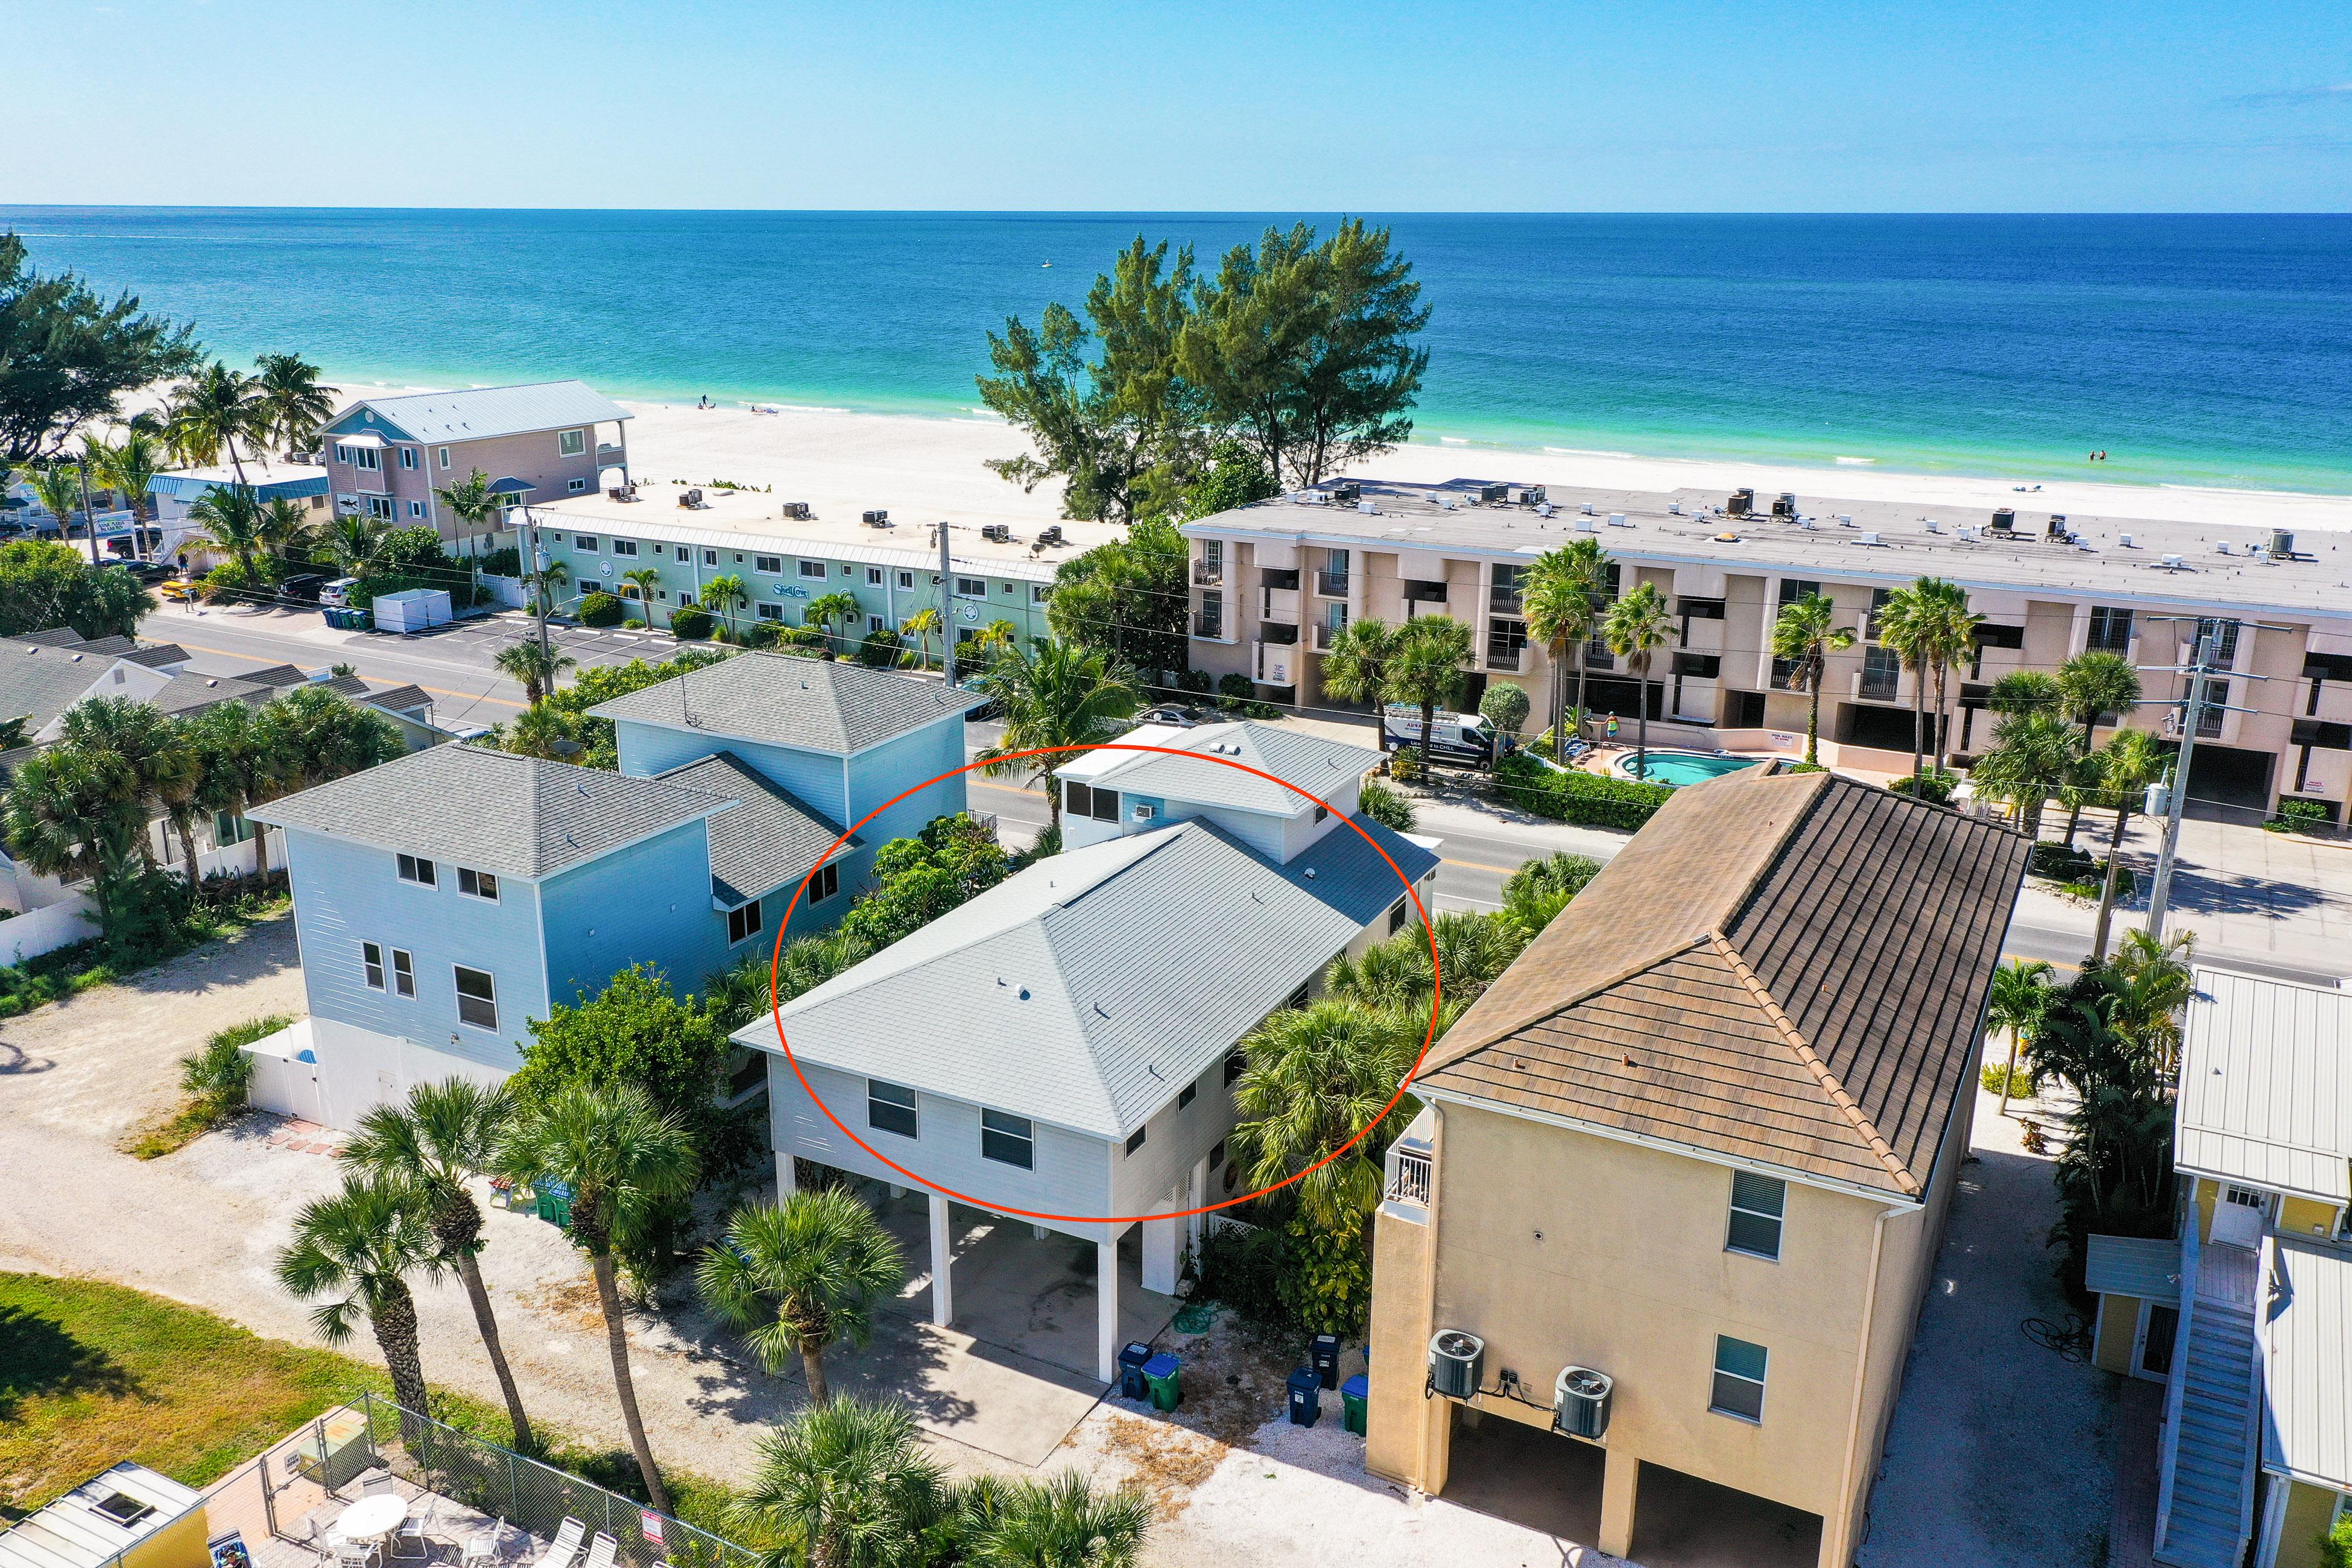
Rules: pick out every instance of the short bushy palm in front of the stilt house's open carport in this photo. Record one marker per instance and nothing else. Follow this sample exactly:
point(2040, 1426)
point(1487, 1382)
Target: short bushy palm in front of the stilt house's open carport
point(801, 1275)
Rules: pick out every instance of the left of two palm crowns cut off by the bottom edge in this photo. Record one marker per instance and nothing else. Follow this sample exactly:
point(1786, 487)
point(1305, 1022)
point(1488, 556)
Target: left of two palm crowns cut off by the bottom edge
point(843, 1485)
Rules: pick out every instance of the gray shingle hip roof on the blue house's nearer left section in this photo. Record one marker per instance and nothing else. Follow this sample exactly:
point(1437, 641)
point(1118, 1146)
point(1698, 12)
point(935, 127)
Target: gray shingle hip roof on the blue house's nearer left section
point(497, 812)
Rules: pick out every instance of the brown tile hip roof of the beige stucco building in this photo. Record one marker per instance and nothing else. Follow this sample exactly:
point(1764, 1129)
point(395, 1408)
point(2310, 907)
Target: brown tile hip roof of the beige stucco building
point(1782, 967)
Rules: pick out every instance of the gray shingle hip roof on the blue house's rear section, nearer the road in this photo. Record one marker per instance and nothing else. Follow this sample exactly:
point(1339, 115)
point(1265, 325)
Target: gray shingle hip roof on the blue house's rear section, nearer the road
point(777, 699)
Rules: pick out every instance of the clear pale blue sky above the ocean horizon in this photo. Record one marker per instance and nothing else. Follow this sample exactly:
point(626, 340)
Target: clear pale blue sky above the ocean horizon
point(1208, 105)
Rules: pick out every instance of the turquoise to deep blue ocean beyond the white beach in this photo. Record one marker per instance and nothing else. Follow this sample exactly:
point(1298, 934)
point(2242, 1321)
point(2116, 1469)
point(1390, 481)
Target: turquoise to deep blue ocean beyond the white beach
point(2191, 349)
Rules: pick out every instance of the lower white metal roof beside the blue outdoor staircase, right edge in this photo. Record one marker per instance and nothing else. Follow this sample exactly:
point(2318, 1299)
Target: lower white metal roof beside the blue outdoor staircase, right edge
point(2308, 1362)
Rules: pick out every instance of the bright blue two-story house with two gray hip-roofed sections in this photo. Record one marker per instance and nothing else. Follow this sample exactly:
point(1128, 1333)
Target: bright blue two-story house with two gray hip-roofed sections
point(450, 897)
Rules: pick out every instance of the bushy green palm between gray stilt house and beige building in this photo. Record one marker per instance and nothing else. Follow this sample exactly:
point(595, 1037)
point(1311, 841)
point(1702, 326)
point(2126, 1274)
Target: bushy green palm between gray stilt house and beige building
point(1314, 1080)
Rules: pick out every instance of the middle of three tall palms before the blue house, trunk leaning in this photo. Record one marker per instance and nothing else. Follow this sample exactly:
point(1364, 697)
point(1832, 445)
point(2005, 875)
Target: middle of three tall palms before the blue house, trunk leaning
point(436, 1144)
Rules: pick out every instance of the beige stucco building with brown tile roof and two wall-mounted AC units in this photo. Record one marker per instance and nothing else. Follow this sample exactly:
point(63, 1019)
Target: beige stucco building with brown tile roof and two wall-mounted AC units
point(1662, 1233)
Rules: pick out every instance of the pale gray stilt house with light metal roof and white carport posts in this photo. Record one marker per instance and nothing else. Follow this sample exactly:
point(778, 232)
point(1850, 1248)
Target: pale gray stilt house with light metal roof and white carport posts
point(1062, 1045)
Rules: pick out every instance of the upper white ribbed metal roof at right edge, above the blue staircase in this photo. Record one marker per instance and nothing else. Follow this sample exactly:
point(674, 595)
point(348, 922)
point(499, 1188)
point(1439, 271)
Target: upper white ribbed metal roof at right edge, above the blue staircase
point(2266, 1085)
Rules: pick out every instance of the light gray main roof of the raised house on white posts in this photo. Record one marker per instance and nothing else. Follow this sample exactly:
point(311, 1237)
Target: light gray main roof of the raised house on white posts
point(1123, 972)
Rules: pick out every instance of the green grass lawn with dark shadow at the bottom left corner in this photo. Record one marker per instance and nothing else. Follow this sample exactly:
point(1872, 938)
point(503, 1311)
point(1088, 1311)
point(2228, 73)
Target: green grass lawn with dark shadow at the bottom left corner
point(95, 1374)
